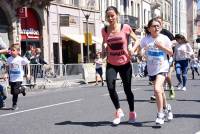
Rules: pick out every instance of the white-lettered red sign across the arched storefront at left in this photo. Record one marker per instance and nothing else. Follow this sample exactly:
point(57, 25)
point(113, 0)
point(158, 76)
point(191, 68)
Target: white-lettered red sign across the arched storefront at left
point(30, 34)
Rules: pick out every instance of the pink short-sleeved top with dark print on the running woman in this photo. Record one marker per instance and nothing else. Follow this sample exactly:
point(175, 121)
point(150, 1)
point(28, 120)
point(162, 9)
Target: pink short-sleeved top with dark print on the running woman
point(117, 46)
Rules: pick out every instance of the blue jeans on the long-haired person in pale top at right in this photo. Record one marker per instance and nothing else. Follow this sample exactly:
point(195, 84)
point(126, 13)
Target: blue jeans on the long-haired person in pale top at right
point(181, 70)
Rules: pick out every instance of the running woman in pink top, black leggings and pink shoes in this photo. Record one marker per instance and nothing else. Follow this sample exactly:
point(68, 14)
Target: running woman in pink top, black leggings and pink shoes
point(115, 46)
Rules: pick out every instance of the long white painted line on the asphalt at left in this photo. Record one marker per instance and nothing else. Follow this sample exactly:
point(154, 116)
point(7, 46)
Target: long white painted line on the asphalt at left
point(42, 107)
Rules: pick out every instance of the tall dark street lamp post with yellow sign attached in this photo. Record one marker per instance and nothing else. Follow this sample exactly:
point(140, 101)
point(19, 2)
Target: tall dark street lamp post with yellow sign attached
point(87, 15)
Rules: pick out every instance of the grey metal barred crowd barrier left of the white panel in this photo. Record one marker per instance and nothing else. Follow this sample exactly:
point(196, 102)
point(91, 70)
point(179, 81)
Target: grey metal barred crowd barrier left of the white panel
point(52, 74)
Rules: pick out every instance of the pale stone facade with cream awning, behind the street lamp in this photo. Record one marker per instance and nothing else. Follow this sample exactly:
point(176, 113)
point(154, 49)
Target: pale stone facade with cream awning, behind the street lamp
point(67, 24)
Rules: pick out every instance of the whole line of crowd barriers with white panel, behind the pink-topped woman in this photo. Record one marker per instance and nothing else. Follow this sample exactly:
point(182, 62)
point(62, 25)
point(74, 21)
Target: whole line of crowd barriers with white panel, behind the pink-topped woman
point(64, 75)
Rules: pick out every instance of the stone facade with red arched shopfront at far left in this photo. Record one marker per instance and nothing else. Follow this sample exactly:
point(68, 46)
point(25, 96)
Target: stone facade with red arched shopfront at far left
point(24, 25)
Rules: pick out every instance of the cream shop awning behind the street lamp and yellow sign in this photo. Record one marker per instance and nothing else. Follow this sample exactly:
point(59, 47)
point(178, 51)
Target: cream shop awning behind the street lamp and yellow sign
point(79, 38)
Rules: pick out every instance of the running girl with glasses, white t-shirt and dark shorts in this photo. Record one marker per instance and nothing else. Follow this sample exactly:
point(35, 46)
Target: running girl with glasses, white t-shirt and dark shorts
point(157, 46)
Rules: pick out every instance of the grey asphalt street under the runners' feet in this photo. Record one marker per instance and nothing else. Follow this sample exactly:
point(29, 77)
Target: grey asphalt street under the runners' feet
point(87, 109)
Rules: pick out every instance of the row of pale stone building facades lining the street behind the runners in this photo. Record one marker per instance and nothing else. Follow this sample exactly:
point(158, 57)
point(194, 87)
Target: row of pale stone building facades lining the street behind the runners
point(60, 29)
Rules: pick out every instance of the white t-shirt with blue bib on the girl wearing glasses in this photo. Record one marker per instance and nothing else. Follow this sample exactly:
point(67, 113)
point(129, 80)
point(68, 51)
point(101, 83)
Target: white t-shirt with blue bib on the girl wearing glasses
point(157, 61)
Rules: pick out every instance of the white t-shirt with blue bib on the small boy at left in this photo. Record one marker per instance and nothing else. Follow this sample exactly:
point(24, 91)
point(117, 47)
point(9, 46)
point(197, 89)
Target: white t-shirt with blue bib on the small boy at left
point(16, 71)
